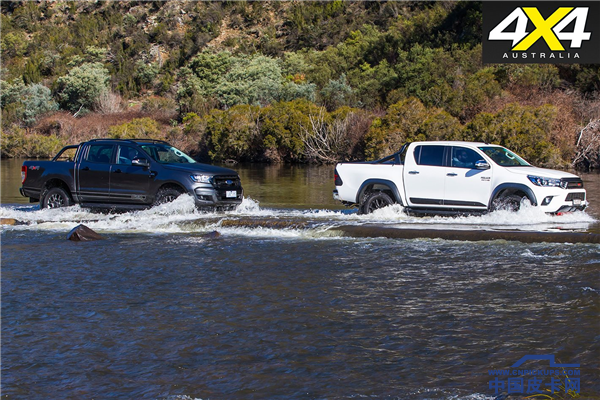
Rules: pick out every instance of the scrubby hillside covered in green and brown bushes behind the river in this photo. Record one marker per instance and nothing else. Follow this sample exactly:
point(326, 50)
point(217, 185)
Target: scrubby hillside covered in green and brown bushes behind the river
point(282, 81)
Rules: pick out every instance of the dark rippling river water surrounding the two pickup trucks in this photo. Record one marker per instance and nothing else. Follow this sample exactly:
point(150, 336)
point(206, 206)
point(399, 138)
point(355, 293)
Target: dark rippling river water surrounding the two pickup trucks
point(282, 306)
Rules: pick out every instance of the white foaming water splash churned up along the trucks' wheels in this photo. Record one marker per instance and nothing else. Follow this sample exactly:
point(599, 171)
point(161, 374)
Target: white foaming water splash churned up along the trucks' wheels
point(181, 215)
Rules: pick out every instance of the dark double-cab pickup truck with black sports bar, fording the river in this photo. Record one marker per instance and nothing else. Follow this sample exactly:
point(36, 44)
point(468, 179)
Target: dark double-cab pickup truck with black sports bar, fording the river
point(129, 174)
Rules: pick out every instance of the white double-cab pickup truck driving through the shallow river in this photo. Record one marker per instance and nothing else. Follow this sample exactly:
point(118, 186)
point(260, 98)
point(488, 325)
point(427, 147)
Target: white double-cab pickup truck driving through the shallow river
point(456, 177)
